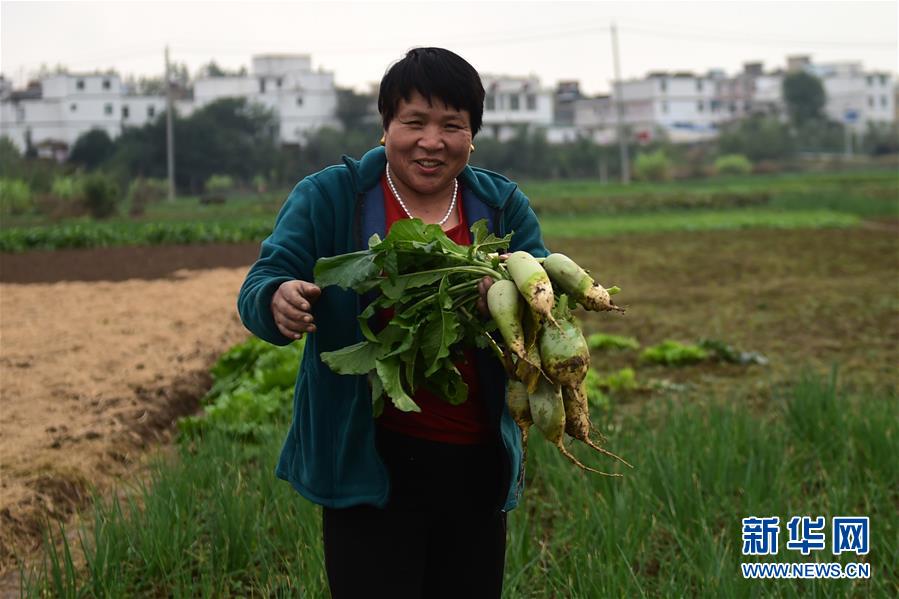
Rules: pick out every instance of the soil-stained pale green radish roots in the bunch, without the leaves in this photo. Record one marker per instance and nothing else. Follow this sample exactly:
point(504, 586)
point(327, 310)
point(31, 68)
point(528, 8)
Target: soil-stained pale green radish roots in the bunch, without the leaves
point(545, 353)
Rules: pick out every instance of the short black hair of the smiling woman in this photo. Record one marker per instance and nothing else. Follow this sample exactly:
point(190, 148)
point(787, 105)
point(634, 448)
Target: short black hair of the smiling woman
point(434, 73)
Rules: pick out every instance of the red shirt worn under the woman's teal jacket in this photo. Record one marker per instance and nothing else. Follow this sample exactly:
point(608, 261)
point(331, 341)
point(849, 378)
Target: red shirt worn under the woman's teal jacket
point(438, 420)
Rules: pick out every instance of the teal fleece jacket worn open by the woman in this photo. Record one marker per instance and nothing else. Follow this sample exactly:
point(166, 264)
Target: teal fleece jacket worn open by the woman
point(329, 455)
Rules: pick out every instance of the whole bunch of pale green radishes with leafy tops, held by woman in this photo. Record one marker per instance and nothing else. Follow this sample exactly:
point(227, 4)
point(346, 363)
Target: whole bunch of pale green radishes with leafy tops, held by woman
point(431, 286)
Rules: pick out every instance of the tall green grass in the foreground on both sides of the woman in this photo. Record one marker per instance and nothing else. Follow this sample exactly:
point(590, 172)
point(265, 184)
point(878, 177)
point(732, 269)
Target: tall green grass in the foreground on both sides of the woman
point(215, 522)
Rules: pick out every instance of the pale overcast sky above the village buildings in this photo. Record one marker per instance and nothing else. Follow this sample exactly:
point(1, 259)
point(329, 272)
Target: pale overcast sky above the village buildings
point(358, 40)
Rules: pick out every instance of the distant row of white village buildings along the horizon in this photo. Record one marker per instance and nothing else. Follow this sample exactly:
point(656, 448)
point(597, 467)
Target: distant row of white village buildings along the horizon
point(683, 107)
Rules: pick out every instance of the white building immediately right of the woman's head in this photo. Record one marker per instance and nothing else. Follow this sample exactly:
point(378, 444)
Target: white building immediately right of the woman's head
point(513, 102)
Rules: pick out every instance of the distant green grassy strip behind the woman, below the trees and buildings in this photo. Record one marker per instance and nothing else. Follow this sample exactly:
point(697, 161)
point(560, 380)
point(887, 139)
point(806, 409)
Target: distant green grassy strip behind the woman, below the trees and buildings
point(567, 208)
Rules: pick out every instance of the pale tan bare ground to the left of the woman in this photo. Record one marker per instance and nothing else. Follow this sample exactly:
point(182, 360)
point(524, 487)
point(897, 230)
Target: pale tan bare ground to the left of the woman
point(92, 374)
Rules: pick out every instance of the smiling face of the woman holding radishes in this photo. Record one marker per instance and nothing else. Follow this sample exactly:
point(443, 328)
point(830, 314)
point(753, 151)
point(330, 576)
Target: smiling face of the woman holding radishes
point(427, 146)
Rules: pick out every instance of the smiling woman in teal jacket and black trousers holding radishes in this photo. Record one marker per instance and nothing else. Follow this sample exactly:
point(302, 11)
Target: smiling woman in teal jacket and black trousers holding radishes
point(414, 504)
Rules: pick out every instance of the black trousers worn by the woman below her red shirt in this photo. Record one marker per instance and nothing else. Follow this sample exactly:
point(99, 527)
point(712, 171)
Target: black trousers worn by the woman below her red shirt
point(440, 535)
